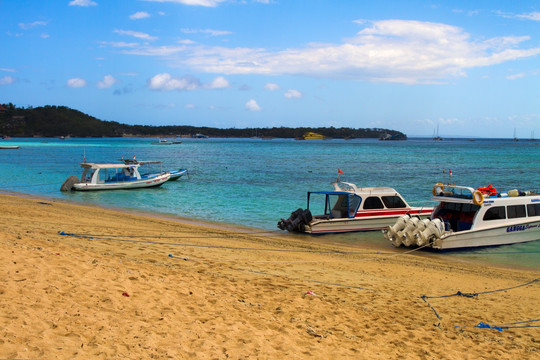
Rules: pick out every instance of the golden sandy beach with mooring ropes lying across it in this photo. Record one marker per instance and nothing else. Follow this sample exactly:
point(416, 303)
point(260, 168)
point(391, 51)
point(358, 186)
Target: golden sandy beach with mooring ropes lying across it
point(92, 283)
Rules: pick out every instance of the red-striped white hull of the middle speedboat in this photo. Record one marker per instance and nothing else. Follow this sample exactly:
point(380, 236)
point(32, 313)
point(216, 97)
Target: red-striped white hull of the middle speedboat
point(362, 223)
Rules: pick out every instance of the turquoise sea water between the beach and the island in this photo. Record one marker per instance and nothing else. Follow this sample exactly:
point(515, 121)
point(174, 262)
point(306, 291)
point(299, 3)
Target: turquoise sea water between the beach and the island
point(255, 182)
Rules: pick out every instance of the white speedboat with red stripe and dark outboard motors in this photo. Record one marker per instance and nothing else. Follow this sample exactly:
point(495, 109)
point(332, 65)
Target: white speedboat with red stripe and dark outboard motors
point(349, 208)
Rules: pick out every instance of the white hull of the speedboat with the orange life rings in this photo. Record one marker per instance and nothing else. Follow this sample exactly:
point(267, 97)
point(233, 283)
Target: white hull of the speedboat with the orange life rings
point(502, 235)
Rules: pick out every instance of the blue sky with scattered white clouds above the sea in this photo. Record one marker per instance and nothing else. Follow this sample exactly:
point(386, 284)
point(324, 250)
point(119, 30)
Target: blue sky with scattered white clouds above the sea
point(468, 68)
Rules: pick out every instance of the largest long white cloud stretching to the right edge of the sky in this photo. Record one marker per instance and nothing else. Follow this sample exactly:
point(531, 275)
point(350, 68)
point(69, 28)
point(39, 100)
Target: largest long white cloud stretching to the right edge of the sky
point(401, 51)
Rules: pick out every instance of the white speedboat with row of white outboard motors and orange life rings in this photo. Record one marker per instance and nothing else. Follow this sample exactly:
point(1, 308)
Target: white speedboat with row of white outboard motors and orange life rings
point(467, 217)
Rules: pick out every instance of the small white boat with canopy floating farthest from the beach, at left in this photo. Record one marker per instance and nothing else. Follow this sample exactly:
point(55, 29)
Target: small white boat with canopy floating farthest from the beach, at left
point(112, 177)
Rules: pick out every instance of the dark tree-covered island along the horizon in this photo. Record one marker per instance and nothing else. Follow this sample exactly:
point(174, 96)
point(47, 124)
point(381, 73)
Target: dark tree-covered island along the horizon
point(61, 121)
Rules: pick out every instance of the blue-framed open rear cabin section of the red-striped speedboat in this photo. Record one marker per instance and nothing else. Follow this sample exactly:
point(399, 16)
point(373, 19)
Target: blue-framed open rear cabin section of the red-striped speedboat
point(336, 204)
